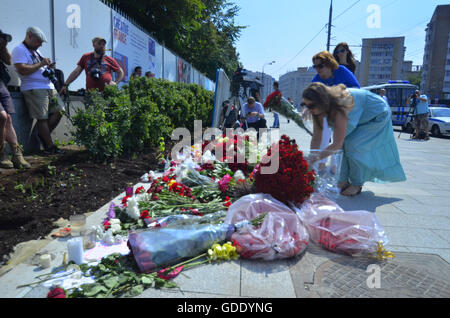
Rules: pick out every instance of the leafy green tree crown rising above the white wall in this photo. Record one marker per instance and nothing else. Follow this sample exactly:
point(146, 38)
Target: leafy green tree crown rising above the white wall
point(202, 32)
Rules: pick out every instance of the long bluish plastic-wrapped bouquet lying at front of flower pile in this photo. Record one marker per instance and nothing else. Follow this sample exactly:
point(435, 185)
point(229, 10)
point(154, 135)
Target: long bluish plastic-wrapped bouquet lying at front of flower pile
point(160, 247)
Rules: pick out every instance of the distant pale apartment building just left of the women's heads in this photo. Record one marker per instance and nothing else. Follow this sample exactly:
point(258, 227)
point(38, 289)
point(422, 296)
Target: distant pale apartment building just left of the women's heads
point(292, 84)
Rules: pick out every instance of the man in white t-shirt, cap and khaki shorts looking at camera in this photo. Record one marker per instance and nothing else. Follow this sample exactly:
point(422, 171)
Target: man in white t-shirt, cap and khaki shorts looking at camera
point(37, 76)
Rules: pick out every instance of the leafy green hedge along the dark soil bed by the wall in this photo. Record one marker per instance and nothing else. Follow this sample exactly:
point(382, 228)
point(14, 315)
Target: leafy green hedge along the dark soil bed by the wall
point(125, 121)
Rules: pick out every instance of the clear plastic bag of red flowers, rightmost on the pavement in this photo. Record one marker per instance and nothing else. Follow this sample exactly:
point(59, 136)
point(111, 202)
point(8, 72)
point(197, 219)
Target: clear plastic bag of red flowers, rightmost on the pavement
point(352, 232)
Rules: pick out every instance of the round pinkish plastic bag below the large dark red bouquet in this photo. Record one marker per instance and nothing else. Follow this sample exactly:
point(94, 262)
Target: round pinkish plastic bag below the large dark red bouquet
point(281, 235)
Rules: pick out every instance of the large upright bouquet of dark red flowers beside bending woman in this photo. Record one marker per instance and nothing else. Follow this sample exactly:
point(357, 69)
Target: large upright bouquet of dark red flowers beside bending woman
point(292, 182)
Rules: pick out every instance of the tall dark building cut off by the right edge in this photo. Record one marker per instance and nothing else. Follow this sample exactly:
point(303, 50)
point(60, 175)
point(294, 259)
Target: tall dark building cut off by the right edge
point(436, 60)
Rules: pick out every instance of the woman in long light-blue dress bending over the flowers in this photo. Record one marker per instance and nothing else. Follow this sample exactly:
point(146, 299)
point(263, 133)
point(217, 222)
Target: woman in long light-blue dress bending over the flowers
point(362, 128)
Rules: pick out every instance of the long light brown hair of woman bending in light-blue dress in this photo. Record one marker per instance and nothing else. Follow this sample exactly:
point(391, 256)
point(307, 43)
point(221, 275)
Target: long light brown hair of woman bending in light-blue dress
point(329, 100)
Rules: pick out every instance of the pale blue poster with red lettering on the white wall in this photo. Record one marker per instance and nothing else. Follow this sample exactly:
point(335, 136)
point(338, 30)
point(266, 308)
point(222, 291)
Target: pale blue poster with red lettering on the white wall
point(133, 47)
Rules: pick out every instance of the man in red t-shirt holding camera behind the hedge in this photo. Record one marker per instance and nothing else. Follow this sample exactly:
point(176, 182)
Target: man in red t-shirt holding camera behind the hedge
point(98, 68)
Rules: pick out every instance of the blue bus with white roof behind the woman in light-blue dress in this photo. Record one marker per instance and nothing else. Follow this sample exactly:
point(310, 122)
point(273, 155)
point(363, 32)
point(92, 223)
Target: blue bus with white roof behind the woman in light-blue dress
point(397, 92)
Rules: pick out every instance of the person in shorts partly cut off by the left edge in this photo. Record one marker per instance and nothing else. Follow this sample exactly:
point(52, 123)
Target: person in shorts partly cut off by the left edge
point(7, 132)
